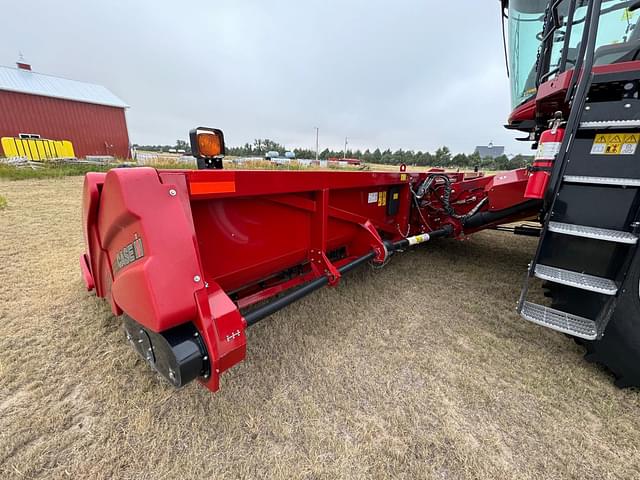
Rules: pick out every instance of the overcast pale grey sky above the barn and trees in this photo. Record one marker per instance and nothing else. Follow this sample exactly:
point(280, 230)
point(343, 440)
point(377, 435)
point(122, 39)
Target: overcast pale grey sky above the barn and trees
point(412, 74)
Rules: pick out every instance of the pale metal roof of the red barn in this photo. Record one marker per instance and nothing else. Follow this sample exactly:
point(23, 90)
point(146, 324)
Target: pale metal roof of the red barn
point(33, 83)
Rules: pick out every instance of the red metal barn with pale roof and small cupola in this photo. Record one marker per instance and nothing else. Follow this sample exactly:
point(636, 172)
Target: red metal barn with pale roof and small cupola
point(55, 108)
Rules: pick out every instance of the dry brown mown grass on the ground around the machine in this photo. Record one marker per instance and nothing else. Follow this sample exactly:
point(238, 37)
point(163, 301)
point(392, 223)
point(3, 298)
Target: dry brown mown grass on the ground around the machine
point(419, 370)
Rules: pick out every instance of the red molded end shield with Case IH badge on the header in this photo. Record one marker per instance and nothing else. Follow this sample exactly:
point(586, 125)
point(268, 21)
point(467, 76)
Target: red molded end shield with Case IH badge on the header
point(150, 241)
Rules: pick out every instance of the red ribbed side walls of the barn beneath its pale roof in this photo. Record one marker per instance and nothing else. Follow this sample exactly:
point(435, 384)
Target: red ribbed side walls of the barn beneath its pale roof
point(93, 129)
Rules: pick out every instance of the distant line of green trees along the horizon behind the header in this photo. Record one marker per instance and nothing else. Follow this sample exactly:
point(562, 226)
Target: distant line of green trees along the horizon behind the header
point(442, 157)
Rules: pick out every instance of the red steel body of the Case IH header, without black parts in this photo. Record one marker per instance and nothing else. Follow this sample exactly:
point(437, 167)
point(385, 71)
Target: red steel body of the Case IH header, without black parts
point(213, 242)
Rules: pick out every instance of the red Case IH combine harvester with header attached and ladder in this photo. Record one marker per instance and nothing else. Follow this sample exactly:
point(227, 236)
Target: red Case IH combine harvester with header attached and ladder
point(193, 258)
